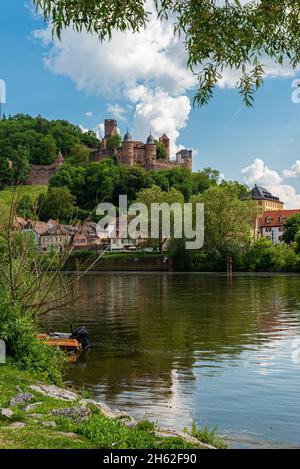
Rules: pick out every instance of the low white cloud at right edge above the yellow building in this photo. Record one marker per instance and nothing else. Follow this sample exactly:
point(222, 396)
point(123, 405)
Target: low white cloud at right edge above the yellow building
point(259, 173)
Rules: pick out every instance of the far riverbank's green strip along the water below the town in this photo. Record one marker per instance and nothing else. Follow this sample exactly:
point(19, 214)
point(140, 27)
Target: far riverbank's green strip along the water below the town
point(274, 261)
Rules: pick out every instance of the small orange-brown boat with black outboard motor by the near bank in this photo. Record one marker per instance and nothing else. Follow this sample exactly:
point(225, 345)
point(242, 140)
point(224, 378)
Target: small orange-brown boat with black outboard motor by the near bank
point(74, 342)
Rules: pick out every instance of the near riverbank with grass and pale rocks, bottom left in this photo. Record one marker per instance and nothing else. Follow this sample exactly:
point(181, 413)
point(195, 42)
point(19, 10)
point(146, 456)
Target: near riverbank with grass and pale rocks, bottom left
point(36, 415)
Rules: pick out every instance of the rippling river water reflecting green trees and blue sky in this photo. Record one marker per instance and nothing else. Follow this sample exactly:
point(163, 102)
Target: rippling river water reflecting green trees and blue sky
point(182, 347)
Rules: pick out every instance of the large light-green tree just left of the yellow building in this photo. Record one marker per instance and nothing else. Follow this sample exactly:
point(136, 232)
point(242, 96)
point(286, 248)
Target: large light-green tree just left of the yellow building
point(228, 220)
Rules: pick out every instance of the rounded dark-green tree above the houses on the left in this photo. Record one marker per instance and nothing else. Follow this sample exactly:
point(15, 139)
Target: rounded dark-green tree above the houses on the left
point(58, 203)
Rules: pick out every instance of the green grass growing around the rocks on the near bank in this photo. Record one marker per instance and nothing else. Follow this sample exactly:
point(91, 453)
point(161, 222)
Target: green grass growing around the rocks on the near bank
point(97, 431)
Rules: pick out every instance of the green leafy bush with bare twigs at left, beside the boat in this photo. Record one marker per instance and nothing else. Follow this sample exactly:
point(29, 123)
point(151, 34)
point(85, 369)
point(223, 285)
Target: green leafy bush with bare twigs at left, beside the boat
point(25, 293)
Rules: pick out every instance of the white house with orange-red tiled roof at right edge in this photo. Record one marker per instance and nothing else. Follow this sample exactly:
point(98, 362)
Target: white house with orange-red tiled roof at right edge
point(272, 223)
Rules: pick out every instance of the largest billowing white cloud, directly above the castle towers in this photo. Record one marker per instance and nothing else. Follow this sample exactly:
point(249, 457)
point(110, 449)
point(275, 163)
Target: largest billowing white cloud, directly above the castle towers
point(155, 58)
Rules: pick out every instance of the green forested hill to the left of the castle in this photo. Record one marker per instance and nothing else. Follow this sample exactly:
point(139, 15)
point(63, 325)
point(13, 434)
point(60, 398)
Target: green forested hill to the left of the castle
point(26, 140)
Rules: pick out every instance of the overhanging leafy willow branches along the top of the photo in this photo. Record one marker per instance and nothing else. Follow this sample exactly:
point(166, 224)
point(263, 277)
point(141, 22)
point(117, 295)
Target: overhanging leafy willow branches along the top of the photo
point(217, 35)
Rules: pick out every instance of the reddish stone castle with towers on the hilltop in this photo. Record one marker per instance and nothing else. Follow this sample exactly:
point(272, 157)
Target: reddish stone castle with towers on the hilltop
point(134, 152)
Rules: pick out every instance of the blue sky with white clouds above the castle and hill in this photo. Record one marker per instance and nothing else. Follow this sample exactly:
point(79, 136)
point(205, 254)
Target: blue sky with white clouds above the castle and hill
point(142, 81)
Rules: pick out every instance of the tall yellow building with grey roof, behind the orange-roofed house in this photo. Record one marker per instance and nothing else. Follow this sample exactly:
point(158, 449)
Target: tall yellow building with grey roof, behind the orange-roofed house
point(265, 201)
